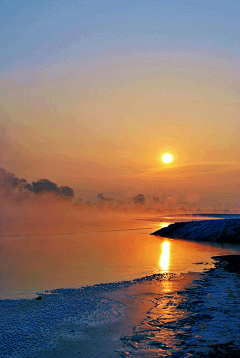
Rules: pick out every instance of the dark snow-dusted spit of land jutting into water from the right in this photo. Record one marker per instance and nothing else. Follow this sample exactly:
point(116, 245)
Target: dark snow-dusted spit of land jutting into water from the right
point(227, 230)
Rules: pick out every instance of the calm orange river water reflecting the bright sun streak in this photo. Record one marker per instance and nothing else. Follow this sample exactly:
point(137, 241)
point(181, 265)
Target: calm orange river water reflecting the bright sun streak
point(30, 264)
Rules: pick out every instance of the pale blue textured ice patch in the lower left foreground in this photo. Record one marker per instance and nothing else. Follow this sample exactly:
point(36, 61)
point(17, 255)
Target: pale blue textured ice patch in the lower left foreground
point(28, 327)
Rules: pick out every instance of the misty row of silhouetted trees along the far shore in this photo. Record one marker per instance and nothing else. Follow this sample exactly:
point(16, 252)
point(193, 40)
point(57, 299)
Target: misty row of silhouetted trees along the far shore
point(18, 188)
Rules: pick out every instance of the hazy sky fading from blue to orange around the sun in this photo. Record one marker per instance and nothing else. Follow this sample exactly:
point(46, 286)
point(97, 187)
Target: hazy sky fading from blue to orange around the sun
point(94, 92)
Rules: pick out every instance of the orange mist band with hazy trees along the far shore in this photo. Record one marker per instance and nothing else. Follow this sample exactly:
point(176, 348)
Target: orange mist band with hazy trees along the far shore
point(42, 207)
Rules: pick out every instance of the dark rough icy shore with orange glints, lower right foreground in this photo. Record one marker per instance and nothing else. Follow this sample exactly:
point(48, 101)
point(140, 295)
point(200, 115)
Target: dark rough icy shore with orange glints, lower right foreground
point(192, 322)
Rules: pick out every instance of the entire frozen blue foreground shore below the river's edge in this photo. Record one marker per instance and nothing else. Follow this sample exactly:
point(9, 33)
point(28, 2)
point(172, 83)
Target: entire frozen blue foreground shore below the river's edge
point(187, 315)
